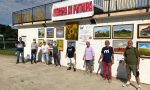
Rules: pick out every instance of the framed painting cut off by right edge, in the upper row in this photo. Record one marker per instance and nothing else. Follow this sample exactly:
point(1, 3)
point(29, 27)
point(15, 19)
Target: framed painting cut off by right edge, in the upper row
point(143, 31)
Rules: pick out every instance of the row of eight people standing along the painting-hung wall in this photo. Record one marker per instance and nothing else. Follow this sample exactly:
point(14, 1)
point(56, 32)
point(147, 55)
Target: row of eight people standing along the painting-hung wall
point(131, 58)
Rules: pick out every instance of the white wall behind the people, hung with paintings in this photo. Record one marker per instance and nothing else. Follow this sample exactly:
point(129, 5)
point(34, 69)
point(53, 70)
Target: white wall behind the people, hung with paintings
point(98, 44)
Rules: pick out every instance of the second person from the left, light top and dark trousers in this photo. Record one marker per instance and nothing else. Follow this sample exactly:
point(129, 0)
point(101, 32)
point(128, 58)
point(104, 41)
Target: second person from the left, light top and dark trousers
point(34, 48)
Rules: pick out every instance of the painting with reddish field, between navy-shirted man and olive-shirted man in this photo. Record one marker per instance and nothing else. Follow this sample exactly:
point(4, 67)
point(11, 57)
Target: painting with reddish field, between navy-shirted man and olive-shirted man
point(119, 46)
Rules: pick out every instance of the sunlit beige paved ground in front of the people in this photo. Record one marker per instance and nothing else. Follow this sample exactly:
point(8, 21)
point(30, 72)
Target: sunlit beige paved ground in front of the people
point(42, 77)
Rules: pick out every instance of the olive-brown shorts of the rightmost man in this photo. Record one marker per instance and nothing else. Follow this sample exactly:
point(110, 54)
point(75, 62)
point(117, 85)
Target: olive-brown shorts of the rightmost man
point(132, 68)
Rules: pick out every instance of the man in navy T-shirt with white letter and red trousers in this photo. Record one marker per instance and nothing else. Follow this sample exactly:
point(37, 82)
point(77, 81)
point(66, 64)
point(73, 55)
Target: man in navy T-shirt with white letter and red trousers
point(107, 56)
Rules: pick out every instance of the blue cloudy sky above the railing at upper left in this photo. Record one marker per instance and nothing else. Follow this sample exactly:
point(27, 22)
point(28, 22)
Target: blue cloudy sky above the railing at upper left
point(9, 6)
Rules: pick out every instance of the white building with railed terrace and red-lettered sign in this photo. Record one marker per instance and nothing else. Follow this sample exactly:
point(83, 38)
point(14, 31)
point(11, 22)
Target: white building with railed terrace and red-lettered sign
point(134, 13)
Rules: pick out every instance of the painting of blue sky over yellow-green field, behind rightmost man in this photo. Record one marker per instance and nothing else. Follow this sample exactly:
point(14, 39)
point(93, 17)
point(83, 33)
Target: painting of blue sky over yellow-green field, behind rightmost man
point(144, 49)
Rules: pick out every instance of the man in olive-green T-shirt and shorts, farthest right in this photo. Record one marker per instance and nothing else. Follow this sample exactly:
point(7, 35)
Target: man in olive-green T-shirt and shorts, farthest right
point(132, 61)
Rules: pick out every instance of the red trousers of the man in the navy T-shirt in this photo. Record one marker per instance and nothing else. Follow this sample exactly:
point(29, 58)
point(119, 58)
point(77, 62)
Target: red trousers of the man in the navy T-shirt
point(105, 67)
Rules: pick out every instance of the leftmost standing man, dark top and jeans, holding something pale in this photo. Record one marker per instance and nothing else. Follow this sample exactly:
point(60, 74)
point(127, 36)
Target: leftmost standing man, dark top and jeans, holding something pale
point(20, 49)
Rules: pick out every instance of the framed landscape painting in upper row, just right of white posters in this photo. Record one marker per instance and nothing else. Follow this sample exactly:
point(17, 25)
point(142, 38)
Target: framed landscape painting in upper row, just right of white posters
point(102, 32)
